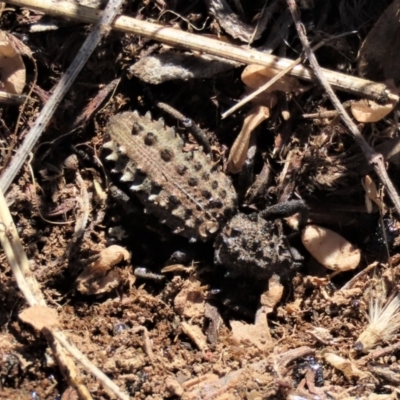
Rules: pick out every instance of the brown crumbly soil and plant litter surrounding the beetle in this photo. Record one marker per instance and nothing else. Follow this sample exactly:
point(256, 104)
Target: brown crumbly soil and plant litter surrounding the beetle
point(182, 327)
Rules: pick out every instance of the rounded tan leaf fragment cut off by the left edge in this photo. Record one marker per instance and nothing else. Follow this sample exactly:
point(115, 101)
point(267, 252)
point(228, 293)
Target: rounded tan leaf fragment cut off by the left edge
point(12, 67)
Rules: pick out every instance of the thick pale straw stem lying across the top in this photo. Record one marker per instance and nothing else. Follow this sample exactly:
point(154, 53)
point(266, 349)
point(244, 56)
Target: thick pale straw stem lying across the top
point(177, 38)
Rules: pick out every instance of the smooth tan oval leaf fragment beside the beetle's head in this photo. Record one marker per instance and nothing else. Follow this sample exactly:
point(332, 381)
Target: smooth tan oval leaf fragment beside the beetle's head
point(330, 249)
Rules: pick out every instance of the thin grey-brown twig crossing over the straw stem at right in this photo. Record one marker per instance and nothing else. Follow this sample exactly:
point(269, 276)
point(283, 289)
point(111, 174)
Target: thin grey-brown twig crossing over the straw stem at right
point(374, 159)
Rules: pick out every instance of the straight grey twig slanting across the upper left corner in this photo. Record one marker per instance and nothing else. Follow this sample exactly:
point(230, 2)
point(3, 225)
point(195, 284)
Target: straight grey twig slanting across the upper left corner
point(100, 29)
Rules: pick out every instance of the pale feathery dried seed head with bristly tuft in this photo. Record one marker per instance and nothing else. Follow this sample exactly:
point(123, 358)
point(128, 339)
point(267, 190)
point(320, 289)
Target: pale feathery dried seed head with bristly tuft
point(384, 322)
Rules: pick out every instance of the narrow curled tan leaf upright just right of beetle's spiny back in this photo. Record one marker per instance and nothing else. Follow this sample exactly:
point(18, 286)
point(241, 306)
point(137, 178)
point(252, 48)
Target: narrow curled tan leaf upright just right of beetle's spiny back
point(238, 153)
